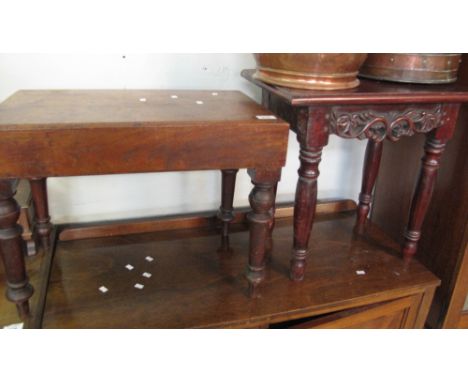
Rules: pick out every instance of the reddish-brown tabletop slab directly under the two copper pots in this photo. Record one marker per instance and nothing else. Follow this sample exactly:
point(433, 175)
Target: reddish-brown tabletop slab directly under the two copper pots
point(369, 91)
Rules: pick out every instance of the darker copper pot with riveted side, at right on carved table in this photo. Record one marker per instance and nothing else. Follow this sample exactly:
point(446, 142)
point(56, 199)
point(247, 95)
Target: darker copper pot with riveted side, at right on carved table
point(423, 68)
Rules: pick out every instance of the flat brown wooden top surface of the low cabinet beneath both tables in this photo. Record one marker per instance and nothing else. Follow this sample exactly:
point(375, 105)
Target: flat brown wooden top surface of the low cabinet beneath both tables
point(193, 285)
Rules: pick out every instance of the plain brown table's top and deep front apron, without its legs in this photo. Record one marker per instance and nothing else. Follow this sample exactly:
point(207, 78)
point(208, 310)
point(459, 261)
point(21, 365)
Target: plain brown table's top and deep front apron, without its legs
point(89, 132)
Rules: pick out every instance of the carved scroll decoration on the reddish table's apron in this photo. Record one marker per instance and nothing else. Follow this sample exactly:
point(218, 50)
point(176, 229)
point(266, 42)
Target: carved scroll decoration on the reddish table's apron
point(380, 125)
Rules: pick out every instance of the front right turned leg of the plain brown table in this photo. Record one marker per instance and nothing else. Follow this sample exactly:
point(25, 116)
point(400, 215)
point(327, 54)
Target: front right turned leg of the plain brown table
point(261, 200)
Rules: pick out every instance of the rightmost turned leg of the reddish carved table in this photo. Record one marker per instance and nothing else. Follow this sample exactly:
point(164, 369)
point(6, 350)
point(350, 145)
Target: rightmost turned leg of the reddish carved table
point(422, 196)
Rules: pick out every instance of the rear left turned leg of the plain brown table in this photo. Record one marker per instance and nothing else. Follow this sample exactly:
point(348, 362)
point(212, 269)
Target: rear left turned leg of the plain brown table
point(41, 208)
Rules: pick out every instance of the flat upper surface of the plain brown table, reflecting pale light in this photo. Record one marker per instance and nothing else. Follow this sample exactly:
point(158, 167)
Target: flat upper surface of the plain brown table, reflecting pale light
point(35, 109)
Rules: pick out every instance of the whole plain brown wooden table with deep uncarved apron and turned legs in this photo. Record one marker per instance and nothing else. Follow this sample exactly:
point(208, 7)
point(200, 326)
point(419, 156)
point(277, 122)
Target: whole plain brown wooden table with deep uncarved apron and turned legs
point(88, 132)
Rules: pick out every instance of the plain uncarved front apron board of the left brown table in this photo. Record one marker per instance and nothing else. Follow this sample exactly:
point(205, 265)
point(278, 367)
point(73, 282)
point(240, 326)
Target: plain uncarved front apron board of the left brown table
point(69, 152)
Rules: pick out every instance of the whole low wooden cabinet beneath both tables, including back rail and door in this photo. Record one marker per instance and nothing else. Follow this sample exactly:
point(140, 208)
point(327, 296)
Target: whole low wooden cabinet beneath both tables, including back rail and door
point(351, 282)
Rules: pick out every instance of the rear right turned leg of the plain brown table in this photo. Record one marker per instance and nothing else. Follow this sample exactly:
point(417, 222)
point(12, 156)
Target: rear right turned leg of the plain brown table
point(226, 214)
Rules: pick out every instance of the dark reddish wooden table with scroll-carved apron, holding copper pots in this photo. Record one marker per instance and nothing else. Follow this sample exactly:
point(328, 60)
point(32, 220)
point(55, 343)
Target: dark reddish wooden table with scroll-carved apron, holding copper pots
point(374, 111)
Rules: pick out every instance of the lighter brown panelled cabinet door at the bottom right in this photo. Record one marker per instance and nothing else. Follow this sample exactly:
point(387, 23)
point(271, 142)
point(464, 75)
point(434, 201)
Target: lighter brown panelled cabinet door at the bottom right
point(395, 314)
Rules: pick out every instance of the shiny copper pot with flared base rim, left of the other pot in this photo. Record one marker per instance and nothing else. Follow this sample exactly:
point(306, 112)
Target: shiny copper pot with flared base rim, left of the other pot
point(320, 71)
